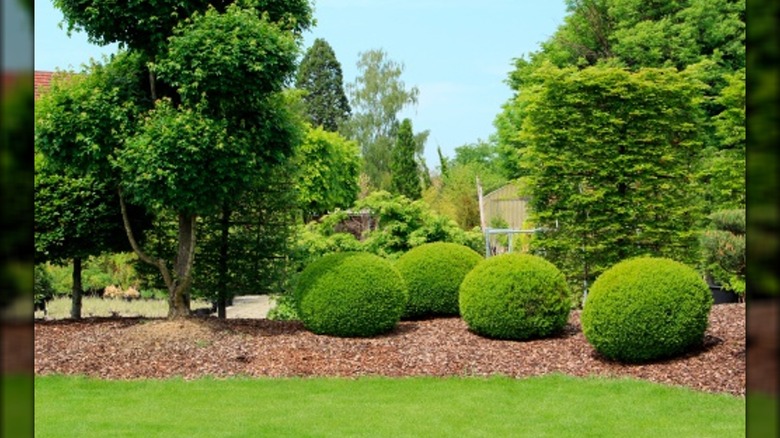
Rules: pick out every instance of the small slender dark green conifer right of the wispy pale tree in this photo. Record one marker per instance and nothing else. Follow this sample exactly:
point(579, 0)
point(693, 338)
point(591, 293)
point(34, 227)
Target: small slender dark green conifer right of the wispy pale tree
point(405, 177)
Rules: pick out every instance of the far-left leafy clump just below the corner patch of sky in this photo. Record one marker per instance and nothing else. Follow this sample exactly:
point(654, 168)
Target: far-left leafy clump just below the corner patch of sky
point(83, 119)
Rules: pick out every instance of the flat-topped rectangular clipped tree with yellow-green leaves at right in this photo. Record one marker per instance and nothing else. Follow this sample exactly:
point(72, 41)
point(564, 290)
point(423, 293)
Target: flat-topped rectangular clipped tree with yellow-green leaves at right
point(608, 158)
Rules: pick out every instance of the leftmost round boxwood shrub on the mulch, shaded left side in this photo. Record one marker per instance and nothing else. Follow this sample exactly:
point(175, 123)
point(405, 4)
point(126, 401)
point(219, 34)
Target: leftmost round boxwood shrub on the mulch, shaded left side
point(350, 295)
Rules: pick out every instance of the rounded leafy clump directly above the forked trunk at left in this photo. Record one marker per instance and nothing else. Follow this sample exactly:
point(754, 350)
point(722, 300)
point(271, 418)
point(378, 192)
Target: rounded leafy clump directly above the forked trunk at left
point(155, 174)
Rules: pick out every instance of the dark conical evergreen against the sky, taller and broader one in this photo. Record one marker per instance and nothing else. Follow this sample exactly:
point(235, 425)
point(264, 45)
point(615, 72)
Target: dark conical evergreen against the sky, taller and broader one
point(320, 75)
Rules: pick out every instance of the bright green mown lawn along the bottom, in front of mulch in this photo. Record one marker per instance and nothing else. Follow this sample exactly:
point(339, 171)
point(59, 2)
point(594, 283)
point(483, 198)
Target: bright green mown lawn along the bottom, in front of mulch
point(551, 406)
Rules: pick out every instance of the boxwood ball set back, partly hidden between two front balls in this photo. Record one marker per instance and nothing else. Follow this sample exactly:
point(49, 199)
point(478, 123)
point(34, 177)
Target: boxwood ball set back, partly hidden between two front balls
point(433, 273)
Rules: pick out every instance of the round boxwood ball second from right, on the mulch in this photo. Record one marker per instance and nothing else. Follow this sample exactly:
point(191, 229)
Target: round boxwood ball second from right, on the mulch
point(515, 296)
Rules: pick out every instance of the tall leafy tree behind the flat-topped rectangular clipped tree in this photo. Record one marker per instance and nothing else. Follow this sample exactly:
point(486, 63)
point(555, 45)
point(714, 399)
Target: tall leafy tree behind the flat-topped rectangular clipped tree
point(704, 38)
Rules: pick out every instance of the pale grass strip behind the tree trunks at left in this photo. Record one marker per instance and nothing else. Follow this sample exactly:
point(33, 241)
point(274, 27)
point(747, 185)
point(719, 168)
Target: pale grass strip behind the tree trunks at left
point(59, 308)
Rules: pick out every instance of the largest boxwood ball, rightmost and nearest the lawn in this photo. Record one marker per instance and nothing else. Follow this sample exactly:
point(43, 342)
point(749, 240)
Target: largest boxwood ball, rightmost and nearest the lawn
point(646, 308)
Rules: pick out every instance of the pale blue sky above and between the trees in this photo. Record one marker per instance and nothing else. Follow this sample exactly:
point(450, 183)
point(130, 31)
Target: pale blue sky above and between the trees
point(457, 52)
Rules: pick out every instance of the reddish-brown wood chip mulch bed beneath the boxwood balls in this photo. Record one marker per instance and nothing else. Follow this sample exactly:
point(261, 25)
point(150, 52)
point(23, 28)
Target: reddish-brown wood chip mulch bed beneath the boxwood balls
point(135, 348)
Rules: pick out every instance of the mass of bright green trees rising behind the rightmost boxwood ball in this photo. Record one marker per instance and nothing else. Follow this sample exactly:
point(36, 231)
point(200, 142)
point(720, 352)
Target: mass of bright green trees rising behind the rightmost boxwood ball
point(629, 127)
